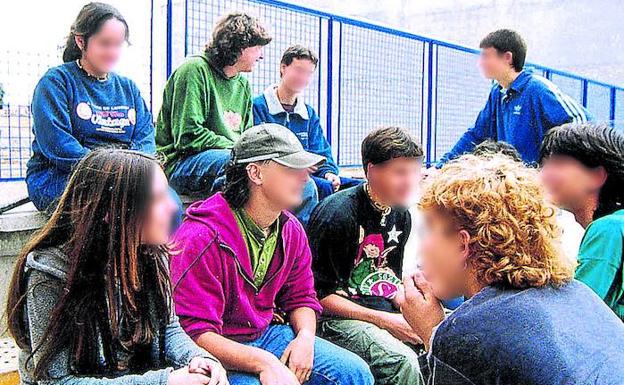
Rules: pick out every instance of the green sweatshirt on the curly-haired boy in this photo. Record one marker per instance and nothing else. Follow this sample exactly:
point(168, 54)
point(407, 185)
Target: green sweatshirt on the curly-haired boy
point(201, 110)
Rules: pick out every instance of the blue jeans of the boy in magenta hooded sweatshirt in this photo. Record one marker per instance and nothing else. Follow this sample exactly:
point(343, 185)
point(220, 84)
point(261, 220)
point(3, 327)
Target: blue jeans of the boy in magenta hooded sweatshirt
point(332, 364)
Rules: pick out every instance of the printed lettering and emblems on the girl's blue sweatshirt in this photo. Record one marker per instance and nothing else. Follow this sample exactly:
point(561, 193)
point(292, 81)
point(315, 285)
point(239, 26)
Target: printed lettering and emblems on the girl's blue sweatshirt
point(110, 119)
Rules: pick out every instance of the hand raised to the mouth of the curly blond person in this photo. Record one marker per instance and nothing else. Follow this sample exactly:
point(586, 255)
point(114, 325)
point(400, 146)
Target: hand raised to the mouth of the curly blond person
point(421, 308)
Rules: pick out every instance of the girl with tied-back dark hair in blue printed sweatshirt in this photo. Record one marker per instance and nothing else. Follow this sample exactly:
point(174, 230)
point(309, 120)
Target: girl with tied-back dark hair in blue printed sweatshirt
point(81, 105)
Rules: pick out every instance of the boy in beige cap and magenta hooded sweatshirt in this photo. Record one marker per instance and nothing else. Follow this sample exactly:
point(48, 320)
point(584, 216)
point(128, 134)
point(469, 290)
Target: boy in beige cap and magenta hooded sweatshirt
point(241, 254)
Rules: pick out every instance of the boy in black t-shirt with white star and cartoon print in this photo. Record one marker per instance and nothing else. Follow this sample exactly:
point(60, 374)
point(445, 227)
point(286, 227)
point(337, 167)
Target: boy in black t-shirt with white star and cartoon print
point(357, 238)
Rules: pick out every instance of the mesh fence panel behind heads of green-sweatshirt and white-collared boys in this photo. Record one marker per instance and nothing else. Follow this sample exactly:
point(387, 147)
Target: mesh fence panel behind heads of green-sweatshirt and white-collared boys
point(287, 27)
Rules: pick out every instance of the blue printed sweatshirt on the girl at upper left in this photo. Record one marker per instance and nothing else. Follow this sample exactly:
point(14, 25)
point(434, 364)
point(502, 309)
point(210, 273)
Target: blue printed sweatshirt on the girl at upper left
point(74, 113)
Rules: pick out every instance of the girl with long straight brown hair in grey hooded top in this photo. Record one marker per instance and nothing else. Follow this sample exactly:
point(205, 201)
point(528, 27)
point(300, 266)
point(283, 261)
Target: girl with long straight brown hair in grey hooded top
point(90, 299)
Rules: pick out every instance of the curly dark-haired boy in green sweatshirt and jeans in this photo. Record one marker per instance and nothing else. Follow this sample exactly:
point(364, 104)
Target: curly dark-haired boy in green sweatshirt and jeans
point(207, 105)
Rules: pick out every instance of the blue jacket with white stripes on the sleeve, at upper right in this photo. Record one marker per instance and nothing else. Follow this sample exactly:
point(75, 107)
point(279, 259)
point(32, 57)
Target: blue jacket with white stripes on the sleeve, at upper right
point(520, 116)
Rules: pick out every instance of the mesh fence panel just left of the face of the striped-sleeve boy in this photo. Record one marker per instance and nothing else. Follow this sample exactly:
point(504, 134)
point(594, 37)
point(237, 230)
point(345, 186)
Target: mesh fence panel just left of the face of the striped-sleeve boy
point(460, 93)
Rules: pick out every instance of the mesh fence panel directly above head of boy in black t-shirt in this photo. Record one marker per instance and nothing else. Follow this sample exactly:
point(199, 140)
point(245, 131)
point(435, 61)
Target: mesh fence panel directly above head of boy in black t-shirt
point(381, 80)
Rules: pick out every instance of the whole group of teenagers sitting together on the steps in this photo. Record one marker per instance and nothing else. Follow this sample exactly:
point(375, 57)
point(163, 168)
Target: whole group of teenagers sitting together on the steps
point(274, 276)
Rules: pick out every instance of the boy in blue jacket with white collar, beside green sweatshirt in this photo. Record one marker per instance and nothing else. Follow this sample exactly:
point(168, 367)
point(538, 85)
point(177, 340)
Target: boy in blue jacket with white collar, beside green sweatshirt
point(283, 104)
